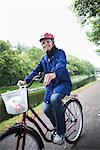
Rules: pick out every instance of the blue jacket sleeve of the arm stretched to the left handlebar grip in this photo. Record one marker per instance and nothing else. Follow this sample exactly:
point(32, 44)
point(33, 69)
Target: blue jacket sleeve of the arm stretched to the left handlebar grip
point(38, 68)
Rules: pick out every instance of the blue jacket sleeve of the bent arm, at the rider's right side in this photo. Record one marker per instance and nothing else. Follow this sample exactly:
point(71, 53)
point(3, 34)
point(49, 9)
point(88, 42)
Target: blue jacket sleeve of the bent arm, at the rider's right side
point(60, 65)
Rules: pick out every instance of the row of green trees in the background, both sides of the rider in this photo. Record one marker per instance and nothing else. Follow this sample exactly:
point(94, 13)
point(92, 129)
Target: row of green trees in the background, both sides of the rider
point(16, 63)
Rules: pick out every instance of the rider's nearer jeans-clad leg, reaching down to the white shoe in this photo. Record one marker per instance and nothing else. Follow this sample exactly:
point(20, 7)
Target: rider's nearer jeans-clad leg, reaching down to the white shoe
point(58, 111)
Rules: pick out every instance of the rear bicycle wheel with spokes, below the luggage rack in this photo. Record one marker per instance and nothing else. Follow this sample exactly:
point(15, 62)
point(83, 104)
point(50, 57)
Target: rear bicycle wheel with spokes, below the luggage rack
point(74, 120)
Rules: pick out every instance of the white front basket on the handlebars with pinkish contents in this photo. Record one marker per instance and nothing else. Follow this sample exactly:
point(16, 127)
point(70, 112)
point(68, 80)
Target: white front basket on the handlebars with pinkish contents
point(16, 101)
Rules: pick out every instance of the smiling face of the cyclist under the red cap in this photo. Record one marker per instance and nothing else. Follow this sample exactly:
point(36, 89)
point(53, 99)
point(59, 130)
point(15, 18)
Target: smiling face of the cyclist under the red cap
point(47, 44)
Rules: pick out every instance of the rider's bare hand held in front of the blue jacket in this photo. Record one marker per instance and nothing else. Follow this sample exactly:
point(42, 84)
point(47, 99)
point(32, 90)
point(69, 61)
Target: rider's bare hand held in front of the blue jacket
point(48, 77)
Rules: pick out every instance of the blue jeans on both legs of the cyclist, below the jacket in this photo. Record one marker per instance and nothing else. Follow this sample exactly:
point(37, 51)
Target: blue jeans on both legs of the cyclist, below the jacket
point(55, 112)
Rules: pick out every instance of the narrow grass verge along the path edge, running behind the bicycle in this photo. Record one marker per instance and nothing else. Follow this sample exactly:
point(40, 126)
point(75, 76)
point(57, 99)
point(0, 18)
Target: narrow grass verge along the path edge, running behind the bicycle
point(39, 109)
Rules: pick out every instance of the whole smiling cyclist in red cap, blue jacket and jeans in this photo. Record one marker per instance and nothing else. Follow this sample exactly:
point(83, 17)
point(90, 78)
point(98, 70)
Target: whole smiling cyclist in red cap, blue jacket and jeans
point(57, 84)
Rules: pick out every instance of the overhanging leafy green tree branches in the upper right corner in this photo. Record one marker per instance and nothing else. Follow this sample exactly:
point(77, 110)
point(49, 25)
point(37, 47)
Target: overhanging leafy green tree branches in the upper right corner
point(89, 13)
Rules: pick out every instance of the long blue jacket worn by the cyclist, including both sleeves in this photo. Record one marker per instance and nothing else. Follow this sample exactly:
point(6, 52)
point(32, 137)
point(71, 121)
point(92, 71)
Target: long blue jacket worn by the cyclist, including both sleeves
point(54, 63)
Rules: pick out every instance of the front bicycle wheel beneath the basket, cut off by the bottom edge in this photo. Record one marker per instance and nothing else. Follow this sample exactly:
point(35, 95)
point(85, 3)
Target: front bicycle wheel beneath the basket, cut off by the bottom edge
point(9, 140)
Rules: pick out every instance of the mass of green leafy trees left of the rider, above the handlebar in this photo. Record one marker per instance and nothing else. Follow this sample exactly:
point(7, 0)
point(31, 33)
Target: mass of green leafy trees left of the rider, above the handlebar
point(15, 64)
